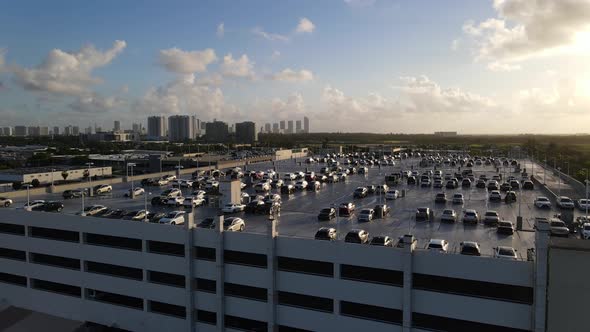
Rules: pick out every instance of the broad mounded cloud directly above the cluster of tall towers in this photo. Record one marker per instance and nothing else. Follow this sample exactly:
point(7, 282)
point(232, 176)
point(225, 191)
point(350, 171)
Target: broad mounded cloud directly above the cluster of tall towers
point(184, 96)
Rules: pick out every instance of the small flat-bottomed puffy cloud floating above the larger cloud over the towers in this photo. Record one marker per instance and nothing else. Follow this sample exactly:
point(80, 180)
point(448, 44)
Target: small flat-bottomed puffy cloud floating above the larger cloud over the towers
point(186, 62)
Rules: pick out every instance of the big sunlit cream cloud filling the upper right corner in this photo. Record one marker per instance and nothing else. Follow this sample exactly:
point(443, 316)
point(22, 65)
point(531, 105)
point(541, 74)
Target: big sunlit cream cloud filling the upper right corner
point(526, 28)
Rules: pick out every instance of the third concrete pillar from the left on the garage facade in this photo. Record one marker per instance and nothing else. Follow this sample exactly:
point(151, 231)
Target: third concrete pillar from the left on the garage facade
point(271, 260)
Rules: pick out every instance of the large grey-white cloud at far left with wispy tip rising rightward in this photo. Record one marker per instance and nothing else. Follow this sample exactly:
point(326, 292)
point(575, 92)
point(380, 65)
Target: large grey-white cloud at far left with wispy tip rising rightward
point(67, 73)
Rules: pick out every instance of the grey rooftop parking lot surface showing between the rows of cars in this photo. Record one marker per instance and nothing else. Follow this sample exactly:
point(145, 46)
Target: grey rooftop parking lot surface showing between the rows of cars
point(299, 211)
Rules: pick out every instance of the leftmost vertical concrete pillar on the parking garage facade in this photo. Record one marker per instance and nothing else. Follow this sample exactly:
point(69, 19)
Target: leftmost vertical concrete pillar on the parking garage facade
point(189, 284)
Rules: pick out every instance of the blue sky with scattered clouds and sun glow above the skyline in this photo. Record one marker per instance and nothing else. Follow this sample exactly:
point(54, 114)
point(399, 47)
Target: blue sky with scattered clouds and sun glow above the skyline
point(379, 66)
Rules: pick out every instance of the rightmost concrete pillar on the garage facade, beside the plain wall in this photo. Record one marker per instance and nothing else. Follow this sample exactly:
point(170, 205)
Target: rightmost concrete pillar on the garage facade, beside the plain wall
point(541, 274)
